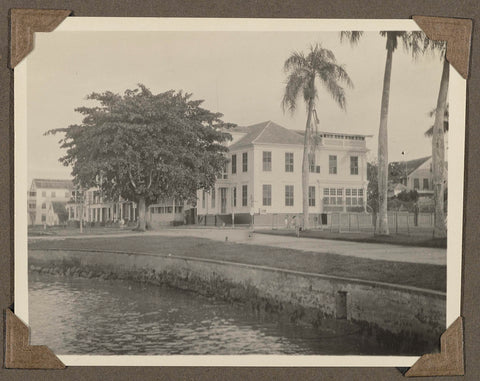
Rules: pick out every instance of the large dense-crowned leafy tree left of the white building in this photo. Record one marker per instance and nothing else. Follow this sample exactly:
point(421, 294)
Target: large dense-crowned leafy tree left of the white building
point(144, 147)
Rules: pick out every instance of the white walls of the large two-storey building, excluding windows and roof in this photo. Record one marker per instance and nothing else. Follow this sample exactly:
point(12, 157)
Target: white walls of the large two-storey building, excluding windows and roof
point(256, 177)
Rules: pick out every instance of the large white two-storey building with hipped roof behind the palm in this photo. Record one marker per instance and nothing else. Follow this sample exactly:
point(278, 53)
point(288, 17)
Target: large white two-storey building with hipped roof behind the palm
point(264, 176)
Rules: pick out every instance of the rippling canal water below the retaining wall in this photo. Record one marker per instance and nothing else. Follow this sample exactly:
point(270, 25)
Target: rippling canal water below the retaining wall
point(107, 317)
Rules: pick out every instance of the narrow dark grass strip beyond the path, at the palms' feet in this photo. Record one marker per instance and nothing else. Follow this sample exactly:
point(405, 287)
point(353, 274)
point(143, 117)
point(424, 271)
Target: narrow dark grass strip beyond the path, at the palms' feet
point(418, 240)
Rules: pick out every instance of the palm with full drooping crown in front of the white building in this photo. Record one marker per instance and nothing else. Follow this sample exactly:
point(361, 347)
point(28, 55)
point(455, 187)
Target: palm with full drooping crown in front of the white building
point(303, 72)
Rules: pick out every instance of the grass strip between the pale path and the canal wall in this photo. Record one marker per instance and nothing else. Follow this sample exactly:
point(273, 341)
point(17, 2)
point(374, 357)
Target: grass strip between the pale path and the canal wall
point(411, 274)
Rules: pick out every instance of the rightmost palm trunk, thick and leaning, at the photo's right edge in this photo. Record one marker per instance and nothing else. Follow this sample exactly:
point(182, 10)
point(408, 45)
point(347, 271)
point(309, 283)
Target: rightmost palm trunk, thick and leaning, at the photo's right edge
point(438, 154)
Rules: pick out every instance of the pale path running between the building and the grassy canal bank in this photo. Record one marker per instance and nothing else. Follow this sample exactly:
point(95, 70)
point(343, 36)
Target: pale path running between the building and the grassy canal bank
point(379, 251)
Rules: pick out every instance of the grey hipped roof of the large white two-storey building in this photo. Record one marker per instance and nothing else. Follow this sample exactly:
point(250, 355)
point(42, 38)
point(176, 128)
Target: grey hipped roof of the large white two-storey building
point(267, 133)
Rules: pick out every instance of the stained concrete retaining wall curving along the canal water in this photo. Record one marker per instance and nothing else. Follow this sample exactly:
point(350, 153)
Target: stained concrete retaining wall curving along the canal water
point(396, 312)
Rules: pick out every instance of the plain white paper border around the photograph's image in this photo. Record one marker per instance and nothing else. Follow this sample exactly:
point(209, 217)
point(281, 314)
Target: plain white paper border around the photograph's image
point(457, 101)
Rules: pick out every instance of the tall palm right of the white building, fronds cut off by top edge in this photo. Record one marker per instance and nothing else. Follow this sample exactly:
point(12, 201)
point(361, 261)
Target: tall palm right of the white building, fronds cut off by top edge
point(411, 41)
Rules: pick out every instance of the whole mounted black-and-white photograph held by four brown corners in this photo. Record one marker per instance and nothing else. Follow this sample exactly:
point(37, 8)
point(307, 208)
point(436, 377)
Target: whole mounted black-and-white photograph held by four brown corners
point(196, 189)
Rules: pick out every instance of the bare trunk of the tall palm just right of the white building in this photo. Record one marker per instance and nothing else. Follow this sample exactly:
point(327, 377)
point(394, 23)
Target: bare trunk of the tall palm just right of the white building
point(382, 218)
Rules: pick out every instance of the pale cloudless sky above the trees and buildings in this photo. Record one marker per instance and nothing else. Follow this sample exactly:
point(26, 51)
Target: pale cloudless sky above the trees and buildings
point(239, 74)
